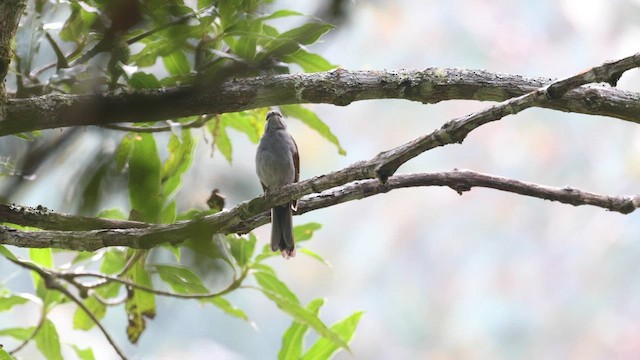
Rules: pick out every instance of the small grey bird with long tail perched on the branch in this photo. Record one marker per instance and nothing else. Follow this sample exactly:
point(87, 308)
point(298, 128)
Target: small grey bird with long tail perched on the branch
point(278, 164)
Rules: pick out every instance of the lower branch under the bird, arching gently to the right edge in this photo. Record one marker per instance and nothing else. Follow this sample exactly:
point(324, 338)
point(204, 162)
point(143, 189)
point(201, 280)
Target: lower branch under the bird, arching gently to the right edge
point(458, 180)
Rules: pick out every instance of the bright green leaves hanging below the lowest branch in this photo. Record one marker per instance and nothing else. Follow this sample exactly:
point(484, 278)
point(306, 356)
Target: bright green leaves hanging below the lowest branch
point(132, 280)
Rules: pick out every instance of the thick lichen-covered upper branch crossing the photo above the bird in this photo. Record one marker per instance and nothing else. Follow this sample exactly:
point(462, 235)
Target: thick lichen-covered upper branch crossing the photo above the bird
point(339, 87)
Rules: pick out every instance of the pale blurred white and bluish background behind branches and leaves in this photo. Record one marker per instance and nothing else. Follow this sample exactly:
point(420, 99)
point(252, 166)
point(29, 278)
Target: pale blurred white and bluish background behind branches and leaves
point(485, 275)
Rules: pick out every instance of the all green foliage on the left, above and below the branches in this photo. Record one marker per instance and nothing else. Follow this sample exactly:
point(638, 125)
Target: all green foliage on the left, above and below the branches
point(134, 46)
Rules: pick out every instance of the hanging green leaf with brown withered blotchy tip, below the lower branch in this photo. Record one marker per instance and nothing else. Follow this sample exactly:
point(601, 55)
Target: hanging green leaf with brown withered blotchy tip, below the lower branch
point(141, 304)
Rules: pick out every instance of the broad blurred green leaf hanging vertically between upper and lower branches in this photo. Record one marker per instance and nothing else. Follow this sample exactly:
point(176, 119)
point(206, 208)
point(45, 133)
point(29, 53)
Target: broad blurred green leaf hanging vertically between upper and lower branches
point(144, 179)
